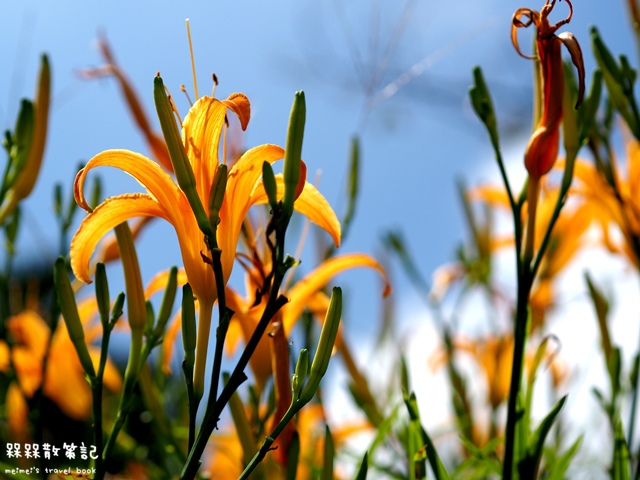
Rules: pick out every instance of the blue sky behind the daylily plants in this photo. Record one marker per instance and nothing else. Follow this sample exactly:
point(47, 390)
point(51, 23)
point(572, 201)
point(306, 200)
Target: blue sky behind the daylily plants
point(415, 144)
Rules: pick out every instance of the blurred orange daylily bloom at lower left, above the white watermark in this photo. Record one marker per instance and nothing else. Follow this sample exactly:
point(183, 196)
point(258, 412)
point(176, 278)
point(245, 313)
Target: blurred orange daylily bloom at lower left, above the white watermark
point(65, 382)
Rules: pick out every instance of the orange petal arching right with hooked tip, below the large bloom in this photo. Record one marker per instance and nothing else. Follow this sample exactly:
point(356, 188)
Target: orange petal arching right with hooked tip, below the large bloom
point(303, 290)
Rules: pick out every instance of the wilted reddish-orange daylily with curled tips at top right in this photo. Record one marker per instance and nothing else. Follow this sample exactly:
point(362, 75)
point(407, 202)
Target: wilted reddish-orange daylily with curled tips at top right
point(542, 149)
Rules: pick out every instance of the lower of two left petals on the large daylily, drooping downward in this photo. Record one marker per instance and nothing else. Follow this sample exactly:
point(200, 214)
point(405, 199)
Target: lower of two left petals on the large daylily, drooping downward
point(106, 217)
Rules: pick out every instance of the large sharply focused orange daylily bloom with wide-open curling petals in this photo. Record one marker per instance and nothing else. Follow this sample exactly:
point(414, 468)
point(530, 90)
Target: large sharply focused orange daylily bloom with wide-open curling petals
point(201, 132)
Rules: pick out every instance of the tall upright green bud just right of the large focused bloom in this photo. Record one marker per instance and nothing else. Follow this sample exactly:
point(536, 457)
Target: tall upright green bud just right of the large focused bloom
point(293, 152)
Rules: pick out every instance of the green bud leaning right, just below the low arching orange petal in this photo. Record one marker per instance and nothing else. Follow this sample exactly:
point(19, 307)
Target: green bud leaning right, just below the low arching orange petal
point(325, 345)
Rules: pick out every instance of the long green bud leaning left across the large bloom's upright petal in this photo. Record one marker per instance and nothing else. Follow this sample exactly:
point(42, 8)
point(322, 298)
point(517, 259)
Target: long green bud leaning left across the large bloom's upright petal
point(179, 160)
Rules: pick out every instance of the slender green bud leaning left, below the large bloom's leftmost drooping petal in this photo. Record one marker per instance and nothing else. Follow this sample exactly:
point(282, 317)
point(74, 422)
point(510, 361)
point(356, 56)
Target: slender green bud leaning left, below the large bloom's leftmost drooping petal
point(69, 309)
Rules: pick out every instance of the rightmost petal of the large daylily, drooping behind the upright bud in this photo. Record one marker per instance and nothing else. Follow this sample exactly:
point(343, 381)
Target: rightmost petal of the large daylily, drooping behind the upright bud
point(311, 203)
